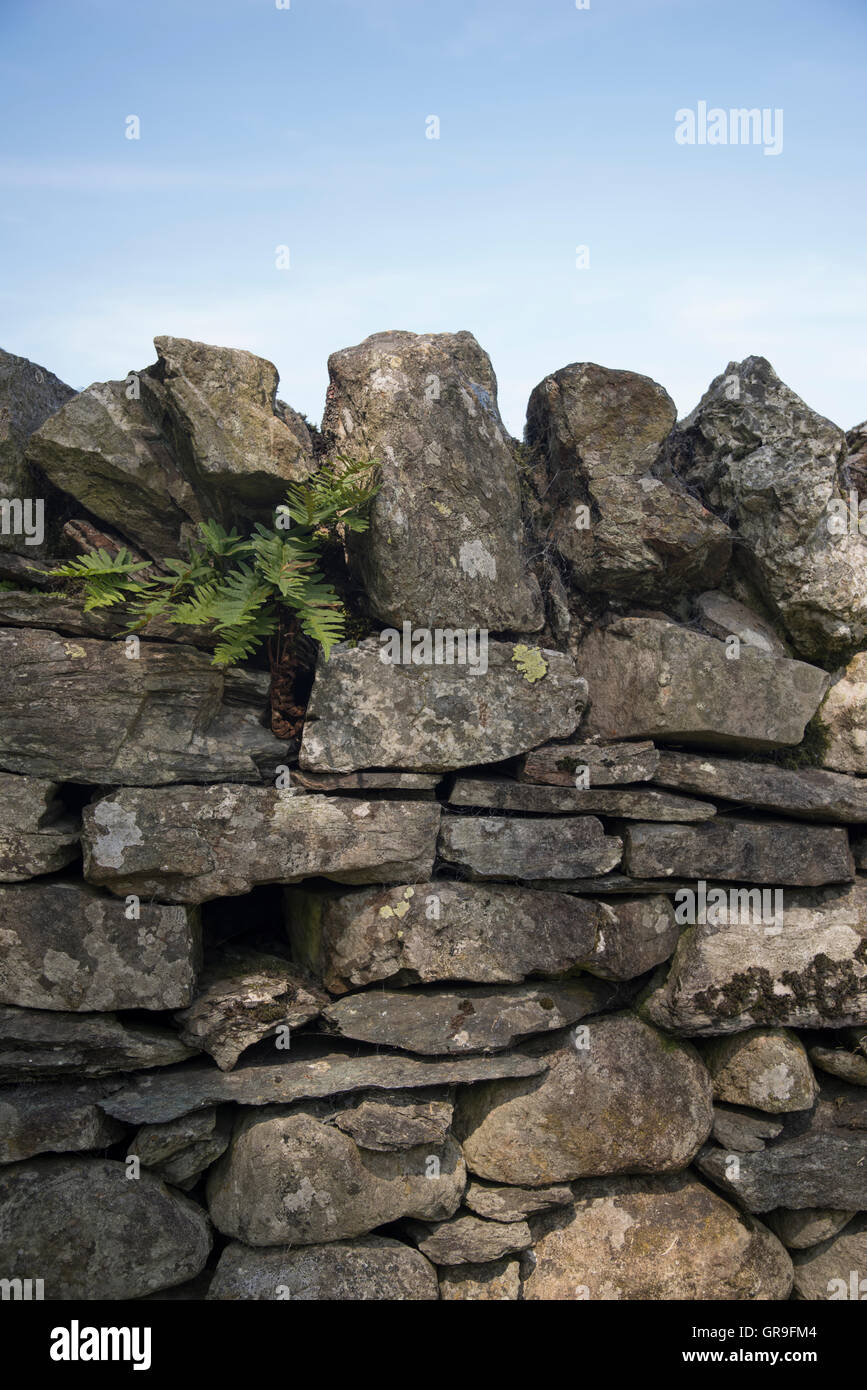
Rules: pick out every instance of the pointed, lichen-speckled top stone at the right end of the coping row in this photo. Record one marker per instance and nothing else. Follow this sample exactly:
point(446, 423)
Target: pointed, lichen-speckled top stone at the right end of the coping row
point(761, 457)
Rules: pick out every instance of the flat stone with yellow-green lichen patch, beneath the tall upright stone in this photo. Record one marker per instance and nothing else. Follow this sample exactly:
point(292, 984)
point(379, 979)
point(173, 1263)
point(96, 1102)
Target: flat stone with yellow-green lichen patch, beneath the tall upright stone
point(433, 719)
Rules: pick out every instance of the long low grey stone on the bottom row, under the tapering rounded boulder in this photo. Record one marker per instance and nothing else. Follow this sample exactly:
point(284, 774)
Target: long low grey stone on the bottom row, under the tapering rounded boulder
point(373, 1268)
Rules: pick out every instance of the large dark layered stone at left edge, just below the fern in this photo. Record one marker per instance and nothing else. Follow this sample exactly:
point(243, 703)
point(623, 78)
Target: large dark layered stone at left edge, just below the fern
point(80, 711)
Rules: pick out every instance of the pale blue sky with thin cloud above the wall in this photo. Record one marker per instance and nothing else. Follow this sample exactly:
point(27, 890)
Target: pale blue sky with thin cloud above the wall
point(305, 127)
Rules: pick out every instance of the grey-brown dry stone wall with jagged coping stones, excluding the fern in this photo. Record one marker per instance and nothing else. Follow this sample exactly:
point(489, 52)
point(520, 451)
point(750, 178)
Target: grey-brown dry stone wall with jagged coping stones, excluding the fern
point(537, 968)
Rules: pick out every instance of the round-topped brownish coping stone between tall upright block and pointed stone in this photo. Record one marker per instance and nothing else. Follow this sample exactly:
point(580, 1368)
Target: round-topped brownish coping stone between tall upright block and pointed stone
point(600, 433)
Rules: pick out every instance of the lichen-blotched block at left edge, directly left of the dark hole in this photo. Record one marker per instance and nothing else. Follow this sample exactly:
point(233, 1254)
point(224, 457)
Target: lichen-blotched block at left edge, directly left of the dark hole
point(63, 946)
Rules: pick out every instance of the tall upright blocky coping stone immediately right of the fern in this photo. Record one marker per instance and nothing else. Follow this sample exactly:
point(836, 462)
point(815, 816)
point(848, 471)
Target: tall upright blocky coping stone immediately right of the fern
point(445, 543)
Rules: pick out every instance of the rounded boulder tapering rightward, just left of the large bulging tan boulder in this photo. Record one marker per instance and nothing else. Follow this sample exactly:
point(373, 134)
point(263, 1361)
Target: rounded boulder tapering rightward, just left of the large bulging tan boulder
point(288, 1178)
